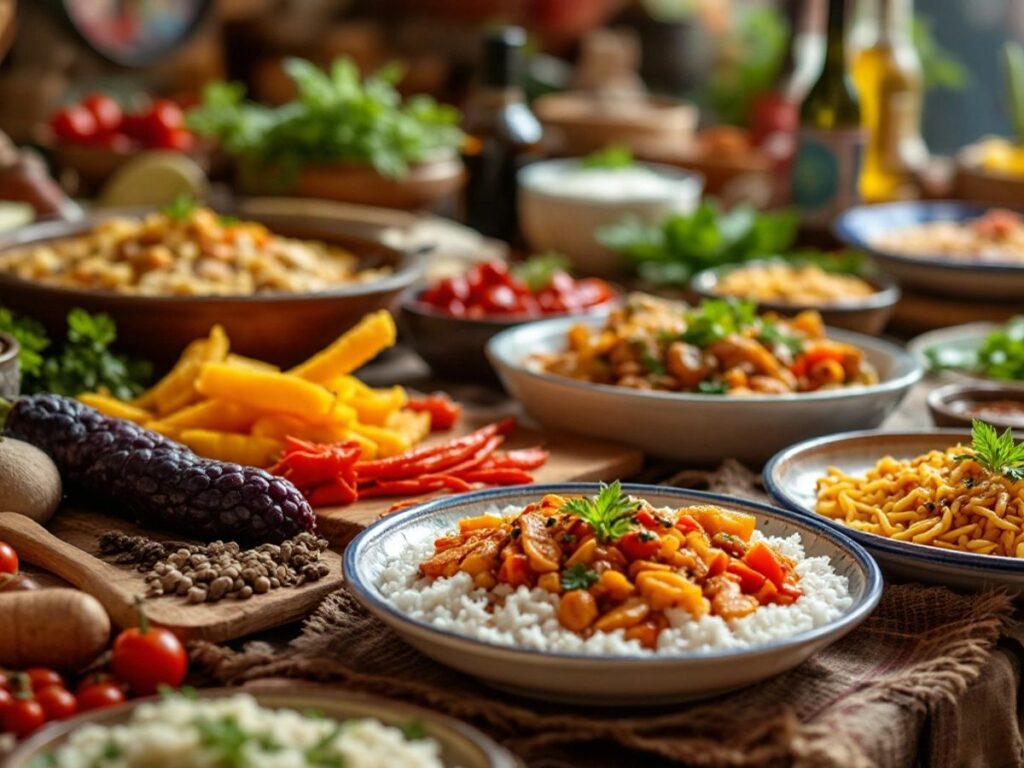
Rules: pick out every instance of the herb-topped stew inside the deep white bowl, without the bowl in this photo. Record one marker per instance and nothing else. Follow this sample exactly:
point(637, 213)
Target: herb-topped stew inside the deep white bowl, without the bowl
point(721, 348)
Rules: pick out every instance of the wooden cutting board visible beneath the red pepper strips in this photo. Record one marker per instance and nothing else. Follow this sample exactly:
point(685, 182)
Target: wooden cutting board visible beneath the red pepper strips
point(573, 459)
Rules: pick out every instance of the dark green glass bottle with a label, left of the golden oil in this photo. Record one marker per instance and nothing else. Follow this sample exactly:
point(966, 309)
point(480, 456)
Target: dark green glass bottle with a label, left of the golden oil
point(830, 143)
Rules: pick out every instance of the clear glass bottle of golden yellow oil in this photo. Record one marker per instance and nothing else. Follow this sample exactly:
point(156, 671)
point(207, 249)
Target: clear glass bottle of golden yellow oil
point(888, 76)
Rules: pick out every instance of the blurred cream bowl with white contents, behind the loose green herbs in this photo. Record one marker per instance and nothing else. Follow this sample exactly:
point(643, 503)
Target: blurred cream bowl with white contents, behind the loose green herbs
point(567, 221)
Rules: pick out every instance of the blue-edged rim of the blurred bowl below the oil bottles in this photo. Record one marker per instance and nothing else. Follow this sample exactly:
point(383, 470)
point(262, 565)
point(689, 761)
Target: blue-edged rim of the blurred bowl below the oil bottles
point(848, 233)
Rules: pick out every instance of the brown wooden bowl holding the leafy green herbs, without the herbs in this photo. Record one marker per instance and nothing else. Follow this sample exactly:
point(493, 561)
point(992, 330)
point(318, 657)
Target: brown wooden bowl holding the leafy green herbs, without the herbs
point(428, 186)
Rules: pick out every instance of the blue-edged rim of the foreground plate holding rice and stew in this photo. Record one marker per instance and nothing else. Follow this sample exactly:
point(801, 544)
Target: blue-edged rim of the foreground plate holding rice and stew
point(370, 598)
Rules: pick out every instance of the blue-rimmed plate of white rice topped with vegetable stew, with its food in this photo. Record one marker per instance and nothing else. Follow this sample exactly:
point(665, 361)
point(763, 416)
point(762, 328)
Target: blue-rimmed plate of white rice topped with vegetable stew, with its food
point(612, 594)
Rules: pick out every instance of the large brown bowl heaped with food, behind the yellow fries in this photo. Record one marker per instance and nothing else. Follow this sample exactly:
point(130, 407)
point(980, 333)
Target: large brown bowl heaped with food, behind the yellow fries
point(282, 284)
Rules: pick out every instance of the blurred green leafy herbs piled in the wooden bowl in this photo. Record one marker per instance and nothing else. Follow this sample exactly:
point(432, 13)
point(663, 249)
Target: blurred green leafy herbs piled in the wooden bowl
point(336, 117)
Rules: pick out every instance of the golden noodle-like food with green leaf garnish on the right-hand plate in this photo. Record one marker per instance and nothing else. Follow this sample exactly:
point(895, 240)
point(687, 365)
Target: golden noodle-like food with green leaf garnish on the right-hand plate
point(969, 499)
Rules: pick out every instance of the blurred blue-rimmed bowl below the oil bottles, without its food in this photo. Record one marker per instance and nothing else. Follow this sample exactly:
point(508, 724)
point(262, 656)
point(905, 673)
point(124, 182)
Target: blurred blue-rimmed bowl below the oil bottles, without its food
point(860, 227)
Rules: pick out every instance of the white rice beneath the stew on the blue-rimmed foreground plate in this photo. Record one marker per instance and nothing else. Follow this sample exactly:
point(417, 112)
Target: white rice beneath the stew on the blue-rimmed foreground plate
point(528, 618)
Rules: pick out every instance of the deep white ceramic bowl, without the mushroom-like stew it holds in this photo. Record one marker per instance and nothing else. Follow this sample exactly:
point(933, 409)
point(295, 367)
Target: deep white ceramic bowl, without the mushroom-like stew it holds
point(692, 428)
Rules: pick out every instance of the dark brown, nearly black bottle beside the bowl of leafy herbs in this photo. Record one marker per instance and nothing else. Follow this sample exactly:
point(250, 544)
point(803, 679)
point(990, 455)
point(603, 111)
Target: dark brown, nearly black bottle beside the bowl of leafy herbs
point(503, 136)
